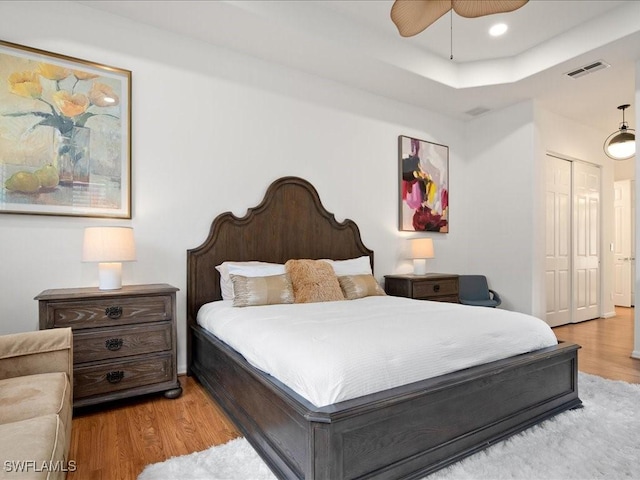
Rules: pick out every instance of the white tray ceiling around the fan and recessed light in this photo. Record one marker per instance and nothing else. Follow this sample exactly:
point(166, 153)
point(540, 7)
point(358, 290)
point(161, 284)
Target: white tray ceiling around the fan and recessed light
point(355, 42)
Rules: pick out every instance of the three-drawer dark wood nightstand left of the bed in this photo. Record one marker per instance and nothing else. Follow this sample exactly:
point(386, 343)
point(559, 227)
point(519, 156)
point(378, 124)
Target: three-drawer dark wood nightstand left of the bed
point(124, 341)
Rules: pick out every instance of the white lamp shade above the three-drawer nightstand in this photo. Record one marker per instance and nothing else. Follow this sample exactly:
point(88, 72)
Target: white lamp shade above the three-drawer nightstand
point(108, 244)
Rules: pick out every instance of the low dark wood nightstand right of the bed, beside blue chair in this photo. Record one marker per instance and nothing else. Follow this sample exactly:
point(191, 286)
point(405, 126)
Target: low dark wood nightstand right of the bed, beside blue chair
point(438, 287)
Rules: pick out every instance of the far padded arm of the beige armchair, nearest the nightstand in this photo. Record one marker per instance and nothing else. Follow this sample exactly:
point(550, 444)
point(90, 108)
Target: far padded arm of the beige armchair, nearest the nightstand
point(42, 351)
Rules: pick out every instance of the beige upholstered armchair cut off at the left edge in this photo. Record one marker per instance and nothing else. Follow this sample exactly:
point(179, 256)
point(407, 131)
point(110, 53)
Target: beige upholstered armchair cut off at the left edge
point(36, 403)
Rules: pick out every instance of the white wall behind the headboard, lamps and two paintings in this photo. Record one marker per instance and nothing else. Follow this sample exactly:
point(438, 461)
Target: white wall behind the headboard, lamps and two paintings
point(211, 130)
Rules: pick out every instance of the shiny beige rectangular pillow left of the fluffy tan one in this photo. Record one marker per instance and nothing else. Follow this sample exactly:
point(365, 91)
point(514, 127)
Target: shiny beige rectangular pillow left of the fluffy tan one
point(252, 291)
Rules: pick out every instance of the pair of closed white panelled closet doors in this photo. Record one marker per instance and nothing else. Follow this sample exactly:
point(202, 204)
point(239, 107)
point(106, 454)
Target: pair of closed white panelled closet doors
point(573, 227)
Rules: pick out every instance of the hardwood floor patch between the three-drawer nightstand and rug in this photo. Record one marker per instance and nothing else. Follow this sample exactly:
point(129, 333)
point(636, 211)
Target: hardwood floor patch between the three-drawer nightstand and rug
point(118, 441)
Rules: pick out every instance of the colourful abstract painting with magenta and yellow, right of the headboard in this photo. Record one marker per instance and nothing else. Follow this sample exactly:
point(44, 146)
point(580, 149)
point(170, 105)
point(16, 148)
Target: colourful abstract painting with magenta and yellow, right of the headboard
point(424, 185)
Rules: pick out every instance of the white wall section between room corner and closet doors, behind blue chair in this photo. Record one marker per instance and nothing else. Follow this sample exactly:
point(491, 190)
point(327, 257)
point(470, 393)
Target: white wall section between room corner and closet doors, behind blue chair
point(498, 193)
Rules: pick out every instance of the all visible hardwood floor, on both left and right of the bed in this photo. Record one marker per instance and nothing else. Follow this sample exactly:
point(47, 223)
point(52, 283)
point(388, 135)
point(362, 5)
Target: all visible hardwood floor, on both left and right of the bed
point(116, 442)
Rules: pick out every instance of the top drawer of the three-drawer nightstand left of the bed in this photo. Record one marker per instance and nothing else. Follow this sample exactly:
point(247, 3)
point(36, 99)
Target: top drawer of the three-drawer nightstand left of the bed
point(104, 313)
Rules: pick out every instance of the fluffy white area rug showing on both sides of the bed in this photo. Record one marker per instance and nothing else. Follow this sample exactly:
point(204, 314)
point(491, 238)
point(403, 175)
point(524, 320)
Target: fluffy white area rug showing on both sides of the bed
point(601, 440)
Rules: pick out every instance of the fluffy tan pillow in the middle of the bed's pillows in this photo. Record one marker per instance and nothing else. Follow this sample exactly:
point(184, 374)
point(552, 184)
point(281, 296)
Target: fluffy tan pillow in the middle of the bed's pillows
point(313, 281)
